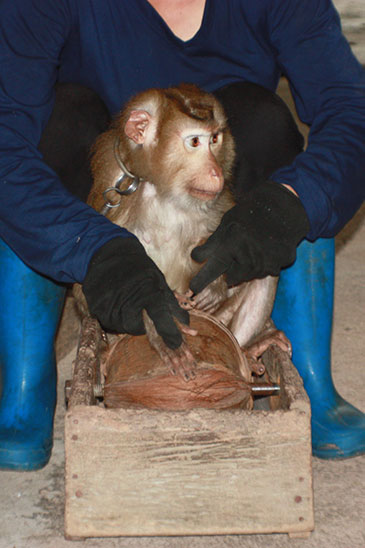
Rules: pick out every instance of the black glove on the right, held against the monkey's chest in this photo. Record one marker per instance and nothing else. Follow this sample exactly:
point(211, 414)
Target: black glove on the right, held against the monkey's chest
point(256, 238)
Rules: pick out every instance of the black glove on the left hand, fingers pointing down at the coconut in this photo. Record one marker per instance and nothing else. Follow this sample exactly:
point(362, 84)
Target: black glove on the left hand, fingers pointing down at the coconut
point(121, 281)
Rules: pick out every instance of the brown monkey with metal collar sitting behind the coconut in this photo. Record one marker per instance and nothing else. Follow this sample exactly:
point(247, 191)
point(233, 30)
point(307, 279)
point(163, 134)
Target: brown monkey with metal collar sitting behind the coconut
point(176, 146)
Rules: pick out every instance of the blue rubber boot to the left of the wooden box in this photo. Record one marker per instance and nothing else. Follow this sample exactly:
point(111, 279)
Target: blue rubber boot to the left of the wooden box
point(30, 307)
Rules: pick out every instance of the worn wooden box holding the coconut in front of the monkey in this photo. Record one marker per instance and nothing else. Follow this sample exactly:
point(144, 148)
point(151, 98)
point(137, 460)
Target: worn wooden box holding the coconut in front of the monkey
point(202, 472)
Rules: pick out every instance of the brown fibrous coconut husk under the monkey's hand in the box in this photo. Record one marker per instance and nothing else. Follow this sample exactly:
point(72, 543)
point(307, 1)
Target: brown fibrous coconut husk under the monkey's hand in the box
point(137, 377)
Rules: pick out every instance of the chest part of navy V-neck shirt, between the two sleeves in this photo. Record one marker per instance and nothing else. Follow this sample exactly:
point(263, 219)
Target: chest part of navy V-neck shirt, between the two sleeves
point(120, 48)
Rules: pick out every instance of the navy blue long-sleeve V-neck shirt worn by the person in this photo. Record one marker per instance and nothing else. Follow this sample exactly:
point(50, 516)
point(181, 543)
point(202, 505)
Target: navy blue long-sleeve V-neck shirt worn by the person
point(119, 47)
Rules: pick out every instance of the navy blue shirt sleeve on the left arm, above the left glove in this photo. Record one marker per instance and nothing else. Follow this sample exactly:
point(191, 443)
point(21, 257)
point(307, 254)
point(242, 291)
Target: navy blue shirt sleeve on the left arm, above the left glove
point(51, 231)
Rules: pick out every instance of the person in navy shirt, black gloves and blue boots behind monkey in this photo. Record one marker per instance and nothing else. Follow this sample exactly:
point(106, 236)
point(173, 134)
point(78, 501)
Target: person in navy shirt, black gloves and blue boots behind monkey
point(50, 238)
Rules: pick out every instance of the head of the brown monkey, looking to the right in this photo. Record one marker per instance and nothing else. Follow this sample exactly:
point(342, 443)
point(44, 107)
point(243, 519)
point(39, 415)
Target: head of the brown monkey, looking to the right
point(177, 139)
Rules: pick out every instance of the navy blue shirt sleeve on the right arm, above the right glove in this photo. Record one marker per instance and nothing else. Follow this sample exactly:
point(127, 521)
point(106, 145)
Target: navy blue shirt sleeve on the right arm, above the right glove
point(328, 86)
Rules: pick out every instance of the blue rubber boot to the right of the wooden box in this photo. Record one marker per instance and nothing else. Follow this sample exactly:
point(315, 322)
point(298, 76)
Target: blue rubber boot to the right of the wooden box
point(303, 310)
